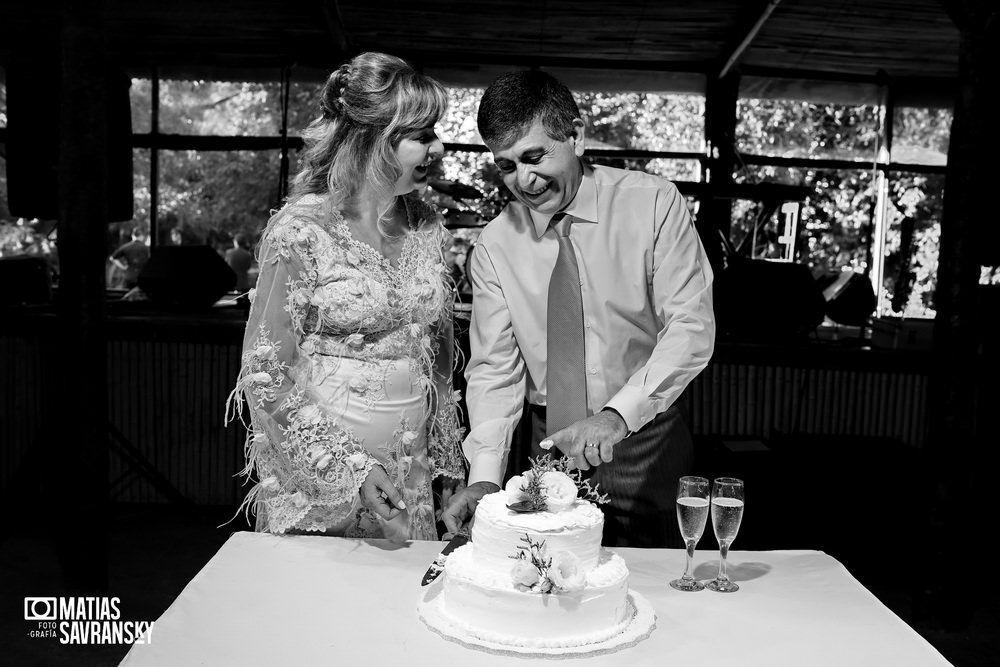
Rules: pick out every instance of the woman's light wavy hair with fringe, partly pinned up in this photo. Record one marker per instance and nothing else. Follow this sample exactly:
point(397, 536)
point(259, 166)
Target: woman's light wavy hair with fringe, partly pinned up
point(368, 105)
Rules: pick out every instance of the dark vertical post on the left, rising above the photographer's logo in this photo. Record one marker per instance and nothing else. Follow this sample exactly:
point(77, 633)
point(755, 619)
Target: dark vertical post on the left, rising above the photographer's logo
point(81, 395)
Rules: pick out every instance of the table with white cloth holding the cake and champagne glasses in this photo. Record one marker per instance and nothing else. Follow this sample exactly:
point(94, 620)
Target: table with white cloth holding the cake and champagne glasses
point(314, 600)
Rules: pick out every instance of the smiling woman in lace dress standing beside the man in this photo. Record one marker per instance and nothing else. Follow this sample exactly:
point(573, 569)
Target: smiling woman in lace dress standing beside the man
point(348, 351)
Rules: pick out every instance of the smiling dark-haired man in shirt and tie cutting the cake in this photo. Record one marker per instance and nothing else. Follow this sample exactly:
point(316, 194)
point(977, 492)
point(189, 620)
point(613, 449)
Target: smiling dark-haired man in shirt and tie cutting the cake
point(592, 298)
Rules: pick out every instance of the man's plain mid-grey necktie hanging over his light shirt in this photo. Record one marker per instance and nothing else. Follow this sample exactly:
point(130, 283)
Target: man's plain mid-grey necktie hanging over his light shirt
point(566, 376)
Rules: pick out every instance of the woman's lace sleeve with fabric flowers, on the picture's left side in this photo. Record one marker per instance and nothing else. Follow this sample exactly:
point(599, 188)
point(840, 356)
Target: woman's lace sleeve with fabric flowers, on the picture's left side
point(303, 462)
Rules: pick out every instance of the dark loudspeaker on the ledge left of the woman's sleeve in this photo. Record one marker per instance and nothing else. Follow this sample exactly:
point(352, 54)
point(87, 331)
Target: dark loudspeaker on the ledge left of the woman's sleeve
point(192, 276)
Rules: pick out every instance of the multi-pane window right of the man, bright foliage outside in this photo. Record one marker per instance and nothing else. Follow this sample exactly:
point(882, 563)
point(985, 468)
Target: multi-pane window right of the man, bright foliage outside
point(840, 151)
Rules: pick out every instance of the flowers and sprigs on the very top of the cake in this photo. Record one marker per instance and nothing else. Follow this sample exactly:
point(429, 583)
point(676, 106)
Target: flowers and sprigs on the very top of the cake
point(550, 485)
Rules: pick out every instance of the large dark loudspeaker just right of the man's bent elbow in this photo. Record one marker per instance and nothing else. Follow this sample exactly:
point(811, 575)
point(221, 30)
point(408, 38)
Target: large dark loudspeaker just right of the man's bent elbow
point(763, 301)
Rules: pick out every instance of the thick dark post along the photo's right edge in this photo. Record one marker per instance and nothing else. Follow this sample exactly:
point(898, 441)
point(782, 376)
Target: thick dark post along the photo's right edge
point(962, 458)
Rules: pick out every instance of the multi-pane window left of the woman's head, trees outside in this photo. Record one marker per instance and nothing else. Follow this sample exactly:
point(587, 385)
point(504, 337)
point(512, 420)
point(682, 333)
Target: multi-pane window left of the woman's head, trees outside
point(210, 169)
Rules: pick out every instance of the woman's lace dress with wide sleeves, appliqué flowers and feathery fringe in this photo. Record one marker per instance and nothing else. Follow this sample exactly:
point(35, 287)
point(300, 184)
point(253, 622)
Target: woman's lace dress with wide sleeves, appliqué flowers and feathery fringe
point(347, 363)
